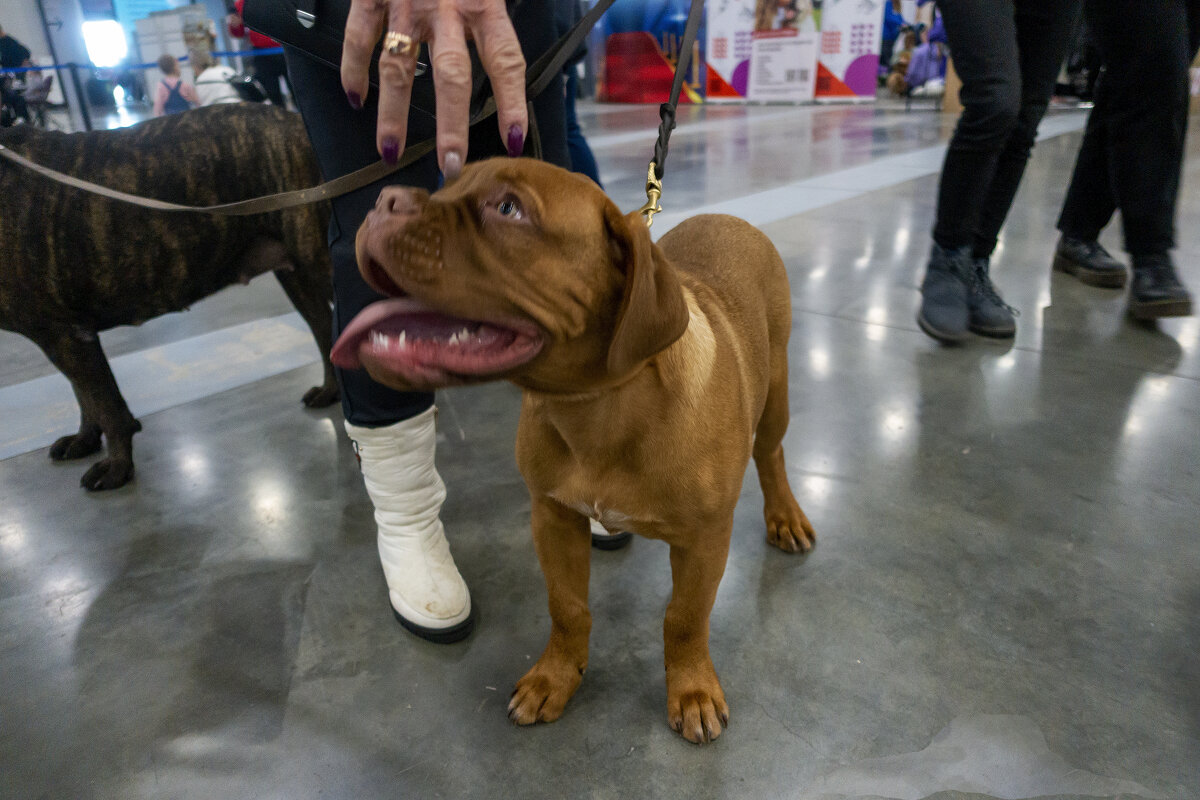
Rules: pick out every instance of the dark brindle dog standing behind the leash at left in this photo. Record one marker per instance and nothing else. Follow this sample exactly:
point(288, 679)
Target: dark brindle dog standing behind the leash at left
point(75, 264)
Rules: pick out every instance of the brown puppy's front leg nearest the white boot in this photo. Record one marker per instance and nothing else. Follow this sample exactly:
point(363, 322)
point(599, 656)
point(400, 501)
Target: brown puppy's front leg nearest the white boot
point(565, 549)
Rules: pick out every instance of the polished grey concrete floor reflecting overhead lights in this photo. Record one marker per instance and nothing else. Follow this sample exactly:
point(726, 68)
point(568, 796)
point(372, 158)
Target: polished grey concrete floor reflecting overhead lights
point(1005, 600)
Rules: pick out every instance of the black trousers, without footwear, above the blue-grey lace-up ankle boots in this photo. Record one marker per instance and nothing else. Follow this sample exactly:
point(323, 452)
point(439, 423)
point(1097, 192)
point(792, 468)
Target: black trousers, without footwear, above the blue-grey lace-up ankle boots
point(1001, 50)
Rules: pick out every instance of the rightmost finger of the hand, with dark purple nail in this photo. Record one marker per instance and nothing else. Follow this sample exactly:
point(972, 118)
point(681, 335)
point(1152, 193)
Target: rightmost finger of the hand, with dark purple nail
point(501, 55)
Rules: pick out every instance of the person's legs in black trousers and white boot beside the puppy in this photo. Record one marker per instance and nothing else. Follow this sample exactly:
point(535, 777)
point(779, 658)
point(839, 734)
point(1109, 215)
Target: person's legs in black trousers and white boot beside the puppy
point(394, 432)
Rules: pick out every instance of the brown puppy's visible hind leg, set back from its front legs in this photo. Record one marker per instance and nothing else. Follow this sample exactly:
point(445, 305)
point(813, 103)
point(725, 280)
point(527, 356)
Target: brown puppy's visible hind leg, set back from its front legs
point(788, 528)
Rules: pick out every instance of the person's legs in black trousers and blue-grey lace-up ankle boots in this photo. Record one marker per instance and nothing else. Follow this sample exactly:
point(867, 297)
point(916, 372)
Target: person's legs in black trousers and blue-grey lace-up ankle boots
point(1007, 53)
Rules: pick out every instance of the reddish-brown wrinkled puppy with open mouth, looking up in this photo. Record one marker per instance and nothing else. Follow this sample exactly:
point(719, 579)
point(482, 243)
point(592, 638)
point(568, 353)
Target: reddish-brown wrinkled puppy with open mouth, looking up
point(651, 375)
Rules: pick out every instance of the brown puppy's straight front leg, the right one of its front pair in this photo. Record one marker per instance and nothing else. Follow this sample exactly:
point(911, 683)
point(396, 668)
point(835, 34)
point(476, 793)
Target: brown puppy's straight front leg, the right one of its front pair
point(697, 705)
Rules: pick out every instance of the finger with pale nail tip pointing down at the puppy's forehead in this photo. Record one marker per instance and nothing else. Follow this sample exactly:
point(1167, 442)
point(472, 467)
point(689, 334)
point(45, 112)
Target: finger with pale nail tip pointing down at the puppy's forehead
point(452, 87)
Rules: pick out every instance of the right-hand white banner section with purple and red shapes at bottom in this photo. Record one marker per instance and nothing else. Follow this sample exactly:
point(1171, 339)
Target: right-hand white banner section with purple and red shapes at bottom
point(849, 58)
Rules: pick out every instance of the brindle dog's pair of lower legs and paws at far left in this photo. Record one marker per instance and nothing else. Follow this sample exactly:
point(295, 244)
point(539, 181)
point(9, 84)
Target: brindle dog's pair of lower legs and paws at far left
point(103, 410)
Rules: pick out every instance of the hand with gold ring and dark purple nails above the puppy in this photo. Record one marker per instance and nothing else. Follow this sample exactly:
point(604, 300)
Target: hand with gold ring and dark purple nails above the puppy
point(446, 26)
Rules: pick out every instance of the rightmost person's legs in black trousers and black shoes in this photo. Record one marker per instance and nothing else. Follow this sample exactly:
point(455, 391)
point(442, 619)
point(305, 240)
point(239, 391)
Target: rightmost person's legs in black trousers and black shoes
point(1133, 151)
